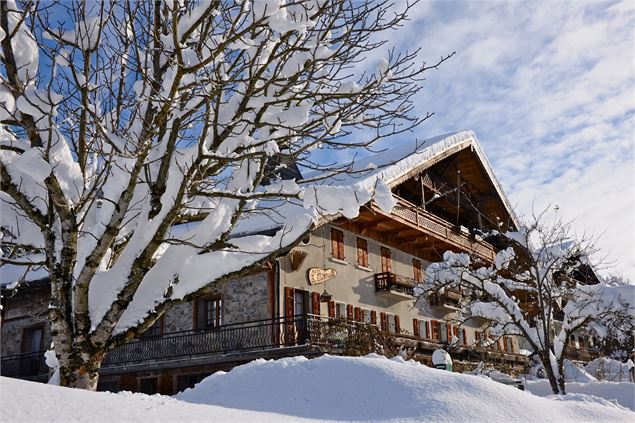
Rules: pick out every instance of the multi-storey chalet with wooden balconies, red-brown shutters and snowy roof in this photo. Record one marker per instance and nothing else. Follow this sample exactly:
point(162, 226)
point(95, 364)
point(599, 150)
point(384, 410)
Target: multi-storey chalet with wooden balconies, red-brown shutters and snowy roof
point(360, 271)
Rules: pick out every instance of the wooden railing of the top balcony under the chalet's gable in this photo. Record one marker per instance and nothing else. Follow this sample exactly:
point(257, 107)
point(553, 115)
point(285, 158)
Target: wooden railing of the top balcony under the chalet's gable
point(440, 228)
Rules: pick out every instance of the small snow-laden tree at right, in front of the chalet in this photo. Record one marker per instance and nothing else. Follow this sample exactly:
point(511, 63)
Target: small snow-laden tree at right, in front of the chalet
point(541, 287)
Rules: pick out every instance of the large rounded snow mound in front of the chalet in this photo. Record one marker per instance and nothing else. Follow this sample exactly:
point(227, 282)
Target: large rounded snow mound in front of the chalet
point(375, 388)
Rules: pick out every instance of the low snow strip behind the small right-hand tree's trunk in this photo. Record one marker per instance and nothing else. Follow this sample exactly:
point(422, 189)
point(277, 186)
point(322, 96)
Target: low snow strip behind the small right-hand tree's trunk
point(621, 392)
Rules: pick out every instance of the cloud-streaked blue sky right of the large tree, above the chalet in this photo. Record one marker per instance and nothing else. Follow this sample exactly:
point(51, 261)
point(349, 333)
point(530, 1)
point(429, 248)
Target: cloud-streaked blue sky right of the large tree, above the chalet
point(548, 87)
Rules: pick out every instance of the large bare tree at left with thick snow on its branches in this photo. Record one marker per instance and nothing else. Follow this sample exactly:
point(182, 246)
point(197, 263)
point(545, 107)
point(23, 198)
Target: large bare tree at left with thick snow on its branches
point(122, 120)
